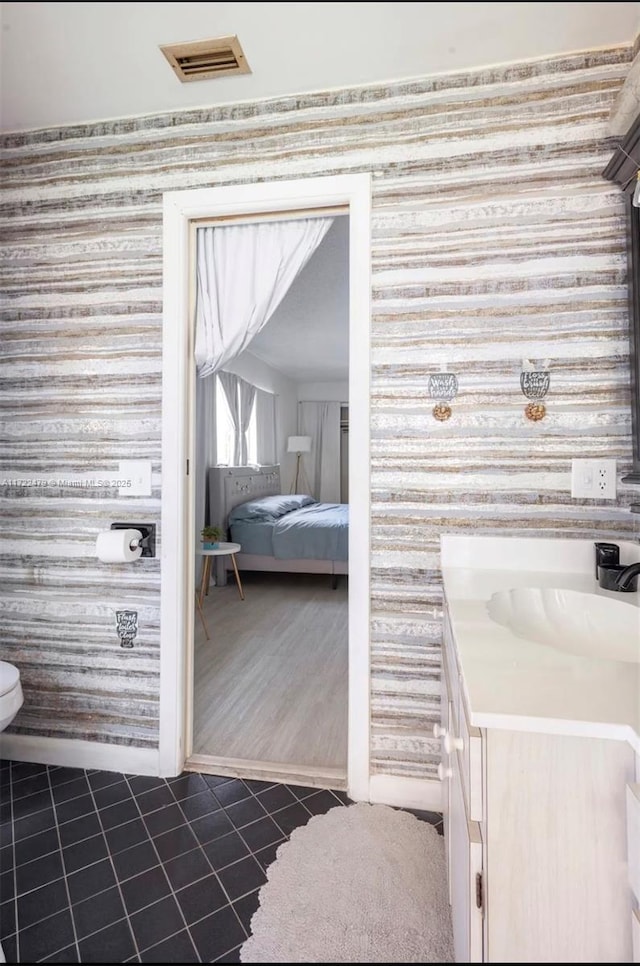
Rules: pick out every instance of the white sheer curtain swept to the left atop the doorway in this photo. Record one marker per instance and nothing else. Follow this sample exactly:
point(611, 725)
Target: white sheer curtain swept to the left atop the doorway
point(243, 273)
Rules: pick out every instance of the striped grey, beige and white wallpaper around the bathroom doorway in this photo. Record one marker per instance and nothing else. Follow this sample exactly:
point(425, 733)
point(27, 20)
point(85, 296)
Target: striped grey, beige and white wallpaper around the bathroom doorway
point(494, 239)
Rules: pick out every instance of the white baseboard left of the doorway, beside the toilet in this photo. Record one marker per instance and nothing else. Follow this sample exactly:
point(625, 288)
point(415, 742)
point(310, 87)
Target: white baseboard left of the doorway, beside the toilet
point(75, 753)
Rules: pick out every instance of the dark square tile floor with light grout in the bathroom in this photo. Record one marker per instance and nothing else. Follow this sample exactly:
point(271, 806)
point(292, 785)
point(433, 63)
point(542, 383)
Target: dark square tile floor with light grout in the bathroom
point(98, 867)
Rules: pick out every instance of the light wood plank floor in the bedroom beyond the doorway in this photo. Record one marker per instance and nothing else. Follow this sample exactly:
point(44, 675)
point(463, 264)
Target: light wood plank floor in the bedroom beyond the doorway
point(271, 684)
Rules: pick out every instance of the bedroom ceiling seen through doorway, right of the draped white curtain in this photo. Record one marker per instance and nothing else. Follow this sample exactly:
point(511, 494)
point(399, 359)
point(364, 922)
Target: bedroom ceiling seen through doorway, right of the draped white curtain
point(307, 337)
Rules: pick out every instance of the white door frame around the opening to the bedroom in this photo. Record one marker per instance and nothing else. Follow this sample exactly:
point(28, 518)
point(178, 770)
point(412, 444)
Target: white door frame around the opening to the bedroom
point(177, 537)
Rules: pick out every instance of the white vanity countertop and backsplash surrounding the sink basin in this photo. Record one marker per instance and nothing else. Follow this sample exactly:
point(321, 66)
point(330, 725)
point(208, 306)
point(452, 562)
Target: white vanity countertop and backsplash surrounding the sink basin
point(517, 684)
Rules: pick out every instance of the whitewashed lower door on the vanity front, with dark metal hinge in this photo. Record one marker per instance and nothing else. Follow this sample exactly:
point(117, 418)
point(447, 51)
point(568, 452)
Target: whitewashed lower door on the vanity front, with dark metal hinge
point(465, 864)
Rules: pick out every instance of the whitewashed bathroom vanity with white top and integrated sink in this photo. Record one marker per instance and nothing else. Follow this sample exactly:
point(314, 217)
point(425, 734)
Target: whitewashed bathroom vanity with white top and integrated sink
point(540, 764)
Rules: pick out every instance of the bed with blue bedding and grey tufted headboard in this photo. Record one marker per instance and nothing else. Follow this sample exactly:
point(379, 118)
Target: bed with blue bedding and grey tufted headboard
point(287, 533)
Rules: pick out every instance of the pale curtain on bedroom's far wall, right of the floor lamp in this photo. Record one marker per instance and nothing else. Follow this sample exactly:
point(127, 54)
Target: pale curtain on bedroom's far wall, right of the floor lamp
point(321, 421)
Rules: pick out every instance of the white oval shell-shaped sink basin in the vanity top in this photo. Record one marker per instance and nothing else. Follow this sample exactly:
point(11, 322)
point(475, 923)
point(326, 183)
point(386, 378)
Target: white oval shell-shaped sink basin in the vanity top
point(590, 625)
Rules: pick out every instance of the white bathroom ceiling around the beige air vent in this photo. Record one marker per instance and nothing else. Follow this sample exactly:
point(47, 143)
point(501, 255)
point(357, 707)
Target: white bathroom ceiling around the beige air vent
point(64, 63)
